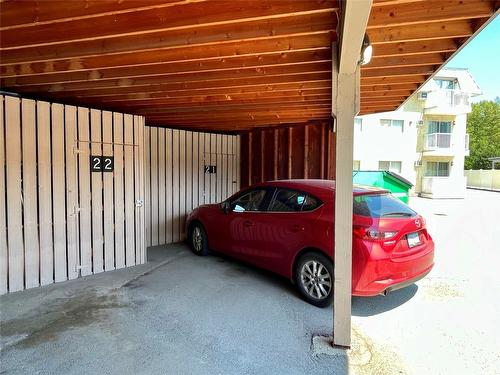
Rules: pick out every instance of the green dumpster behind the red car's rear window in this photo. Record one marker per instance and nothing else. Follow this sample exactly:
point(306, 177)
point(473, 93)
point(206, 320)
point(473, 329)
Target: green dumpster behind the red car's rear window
point(397, 185)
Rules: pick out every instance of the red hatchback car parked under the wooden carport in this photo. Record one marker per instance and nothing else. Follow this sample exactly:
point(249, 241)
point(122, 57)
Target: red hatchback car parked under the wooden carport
point(287, 227)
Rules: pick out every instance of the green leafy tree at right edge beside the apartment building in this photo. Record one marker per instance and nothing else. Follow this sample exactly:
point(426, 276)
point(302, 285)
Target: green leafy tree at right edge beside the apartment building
point(483, 126)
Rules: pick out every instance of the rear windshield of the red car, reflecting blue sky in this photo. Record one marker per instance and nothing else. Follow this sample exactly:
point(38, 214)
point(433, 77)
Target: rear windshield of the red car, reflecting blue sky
point(381, 205)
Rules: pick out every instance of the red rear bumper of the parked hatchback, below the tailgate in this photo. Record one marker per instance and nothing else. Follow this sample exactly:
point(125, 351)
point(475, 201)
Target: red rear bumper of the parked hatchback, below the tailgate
point(383, 276)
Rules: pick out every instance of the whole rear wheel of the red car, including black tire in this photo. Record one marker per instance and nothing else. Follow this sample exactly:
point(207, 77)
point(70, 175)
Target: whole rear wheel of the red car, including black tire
point(314, 278)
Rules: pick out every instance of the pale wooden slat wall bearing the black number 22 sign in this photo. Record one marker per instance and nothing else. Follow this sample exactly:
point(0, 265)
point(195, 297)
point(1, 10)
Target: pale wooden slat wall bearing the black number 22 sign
point(59, 221)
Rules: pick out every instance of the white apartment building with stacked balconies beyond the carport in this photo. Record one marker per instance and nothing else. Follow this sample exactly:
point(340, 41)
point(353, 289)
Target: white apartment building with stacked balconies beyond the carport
point(425, 141)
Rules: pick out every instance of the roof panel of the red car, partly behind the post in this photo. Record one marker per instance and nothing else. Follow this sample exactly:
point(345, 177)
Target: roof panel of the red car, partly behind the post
point(320, 188)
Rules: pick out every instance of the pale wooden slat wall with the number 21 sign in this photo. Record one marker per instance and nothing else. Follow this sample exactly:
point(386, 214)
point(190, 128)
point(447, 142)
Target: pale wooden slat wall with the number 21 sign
point(175, 178)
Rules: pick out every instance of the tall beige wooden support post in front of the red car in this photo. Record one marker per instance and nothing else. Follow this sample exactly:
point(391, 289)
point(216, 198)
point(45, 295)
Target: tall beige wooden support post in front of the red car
point(345, 106)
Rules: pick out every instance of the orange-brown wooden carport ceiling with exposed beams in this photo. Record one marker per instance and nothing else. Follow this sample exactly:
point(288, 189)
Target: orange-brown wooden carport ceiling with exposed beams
point(221, 65)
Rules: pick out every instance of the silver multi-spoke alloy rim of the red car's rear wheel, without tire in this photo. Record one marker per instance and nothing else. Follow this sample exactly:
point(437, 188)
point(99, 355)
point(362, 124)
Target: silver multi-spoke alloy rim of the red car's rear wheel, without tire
point(316, 279)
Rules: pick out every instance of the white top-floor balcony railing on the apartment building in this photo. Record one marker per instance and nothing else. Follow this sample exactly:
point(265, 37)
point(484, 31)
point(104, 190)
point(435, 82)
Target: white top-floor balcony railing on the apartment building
point(447, 102)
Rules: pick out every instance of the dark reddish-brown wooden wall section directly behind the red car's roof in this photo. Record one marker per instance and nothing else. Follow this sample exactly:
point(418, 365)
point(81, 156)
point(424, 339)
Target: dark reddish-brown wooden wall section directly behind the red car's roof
point(304, 151)
